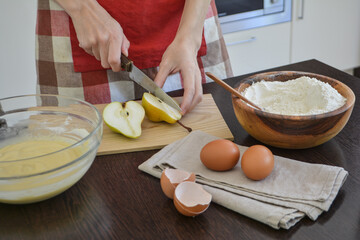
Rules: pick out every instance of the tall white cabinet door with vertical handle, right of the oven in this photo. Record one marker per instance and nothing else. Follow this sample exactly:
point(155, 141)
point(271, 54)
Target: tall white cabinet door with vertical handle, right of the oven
point(327, 30)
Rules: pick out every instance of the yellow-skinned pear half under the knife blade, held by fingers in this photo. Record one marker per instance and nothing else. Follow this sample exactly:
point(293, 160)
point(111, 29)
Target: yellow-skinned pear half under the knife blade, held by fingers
point(157, 110)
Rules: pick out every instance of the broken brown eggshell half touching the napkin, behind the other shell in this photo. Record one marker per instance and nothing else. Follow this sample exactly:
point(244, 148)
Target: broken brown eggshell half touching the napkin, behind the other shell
point(170, 178)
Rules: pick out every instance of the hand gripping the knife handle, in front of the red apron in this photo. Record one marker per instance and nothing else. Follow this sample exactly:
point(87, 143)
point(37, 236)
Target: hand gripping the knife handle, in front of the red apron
point(98, 33)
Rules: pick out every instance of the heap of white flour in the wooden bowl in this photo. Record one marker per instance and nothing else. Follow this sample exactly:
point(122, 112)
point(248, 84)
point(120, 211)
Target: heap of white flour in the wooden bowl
point(301, 96)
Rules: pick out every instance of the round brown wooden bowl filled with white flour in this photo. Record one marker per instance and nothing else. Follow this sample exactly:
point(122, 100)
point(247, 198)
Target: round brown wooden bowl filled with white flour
point(292, 132)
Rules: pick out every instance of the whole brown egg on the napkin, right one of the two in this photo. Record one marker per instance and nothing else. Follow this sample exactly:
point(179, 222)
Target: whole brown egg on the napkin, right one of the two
point(257, 162)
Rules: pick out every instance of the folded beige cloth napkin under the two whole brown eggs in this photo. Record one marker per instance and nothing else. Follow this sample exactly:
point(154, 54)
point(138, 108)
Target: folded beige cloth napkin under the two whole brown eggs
point(293, 189)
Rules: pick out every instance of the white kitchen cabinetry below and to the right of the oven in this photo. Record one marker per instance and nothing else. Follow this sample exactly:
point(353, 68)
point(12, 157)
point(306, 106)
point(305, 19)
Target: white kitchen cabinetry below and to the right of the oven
point(327, 30)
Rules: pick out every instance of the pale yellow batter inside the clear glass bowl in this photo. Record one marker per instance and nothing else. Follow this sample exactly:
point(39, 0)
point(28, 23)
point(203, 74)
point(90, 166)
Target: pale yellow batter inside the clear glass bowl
point(34, 161)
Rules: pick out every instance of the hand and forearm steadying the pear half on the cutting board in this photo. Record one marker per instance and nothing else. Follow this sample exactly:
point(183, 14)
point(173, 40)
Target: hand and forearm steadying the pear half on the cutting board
point(181, 55)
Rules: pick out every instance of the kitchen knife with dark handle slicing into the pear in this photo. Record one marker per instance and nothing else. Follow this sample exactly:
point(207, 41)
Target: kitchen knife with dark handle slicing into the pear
point(139, 77)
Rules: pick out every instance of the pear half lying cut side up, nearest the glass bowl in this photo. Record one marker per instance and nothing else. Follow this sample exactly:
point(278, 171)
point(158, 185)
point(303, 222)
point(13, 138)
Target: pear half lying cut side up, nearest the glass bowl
point(124, 118)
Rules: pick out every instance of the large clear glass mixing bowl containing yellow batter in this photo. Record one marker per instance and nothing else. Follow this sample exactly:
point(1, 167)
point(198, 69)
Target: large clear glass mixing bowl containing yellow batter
point(47, 143)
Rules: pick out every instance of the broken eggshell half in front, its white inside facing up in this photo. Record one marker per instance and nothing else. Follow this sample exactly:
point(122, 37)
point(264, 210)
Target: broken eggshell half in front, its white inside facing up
point(190, 199)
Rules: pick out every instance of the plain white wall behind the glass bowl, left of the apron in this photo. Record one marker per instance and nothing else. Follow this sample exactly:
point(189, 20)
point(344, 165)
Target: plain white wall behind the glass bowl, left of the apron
point(17, 47)
